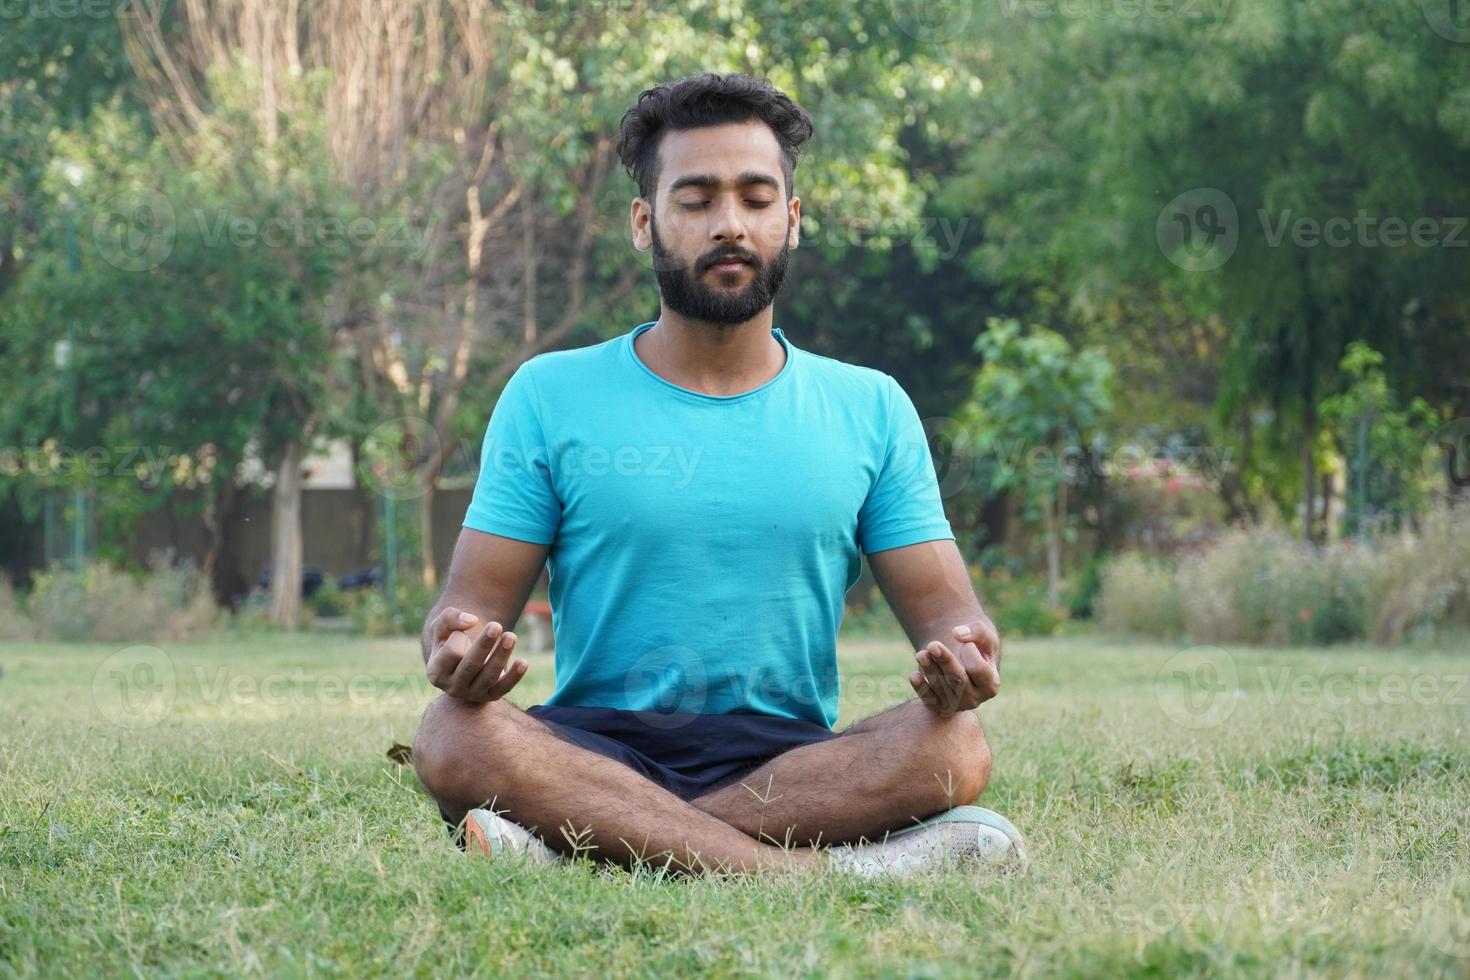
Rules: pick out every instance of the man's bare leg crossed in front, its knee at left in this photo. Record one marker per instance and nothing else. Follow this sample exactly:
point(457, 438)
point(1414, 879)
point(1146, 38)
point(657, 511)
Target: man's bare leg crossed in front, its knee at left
point(476, 754)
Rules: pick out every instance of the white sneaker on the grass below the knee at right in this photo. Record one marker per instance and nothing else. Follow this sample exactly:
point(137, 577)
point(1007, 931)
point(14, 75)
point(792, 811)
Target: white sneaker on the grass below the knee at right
point(959, 837)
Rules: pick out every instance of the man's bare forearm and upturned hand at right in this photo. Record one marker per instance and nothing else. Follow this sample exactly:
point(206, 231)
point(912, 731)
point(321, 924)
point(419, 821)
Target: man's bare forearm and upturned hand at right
point(958, 649)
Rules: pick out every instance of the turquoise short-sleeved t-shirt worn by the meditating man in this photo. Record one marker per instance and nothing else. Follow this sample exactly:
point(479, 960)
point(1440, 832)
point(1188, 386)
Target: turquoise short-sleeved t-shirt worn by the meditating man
point(702, 546)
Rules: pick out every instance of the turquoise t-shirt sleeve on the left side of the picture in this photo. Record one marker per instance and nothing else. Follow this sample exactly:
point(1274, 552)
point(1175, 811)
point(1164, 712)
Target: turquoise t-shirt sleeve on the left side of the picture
point(514, 494)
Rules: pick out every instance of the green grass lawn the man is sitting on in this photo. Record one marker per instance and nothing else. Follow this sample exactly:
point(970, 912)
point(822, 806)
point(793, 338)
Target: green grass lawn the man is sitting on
point(230, 809)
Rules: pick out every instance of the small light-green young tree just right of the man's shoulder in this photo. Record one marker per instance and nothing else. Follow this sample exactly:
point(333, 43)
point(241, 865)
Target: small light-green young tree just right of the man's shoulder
point(1036, 414)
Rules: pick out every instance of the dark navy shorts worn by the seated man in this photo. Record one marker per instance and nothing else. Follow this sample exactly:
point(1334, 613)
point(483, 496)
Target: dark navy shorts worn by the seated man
point(687, 754)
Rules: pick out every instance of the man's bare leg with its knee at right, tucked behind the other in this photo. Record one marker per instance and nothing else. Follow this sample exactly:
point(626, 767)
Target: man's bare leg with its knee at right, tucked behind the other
point(880, 775)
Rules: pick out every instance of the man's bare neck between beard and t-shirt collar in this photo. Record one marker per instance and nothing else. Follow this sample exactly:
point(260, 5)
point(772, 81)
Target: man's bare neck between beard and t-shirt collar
point(715, 359)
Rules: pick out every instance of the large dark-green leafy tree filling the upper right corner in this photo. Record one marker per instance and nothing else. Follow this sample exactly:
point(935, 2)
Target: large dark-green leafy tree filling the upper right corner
point(1265, 168)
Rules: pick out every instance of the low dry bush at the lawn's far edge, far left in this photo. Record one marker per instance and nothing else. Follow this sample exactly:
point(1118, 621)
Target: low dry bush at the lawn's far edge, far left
point(102, 603)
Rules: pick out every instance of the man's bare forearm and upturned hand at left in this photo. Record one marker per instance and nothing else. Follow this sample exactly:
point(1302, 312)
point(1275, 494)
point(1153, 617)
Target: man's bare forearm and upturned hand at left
point(465, 643)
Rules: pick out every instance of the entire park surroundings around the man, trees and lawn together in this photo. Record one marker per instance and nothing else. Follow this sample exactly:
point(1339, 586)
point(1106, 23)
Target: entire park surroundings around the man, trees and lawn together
point(1180, 289)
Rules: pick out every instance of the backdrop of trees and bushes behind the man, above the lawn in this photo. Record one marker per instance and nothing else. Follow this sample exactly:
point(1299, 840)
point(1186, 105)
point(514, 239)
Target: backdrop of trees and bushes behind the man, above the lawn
point(1180, 290)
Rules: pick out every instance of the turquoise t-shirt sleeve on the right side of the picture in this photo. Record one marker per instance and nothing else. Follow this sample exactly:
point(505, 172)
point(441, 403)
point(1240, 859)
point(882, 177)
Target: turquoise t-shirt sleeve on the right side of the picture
point(903, 508)
